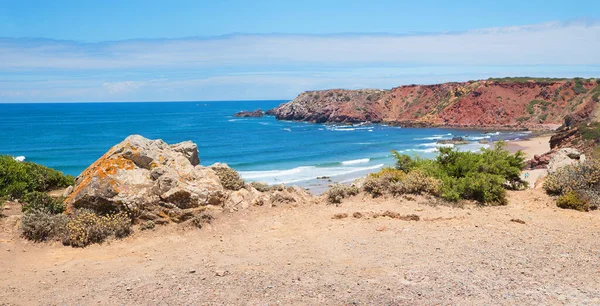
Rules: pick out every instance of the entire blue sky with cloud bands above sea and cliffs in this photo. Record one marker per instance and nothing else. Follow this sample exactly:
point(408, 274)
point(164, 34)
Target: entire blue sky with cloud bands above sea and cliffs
point(81, 51)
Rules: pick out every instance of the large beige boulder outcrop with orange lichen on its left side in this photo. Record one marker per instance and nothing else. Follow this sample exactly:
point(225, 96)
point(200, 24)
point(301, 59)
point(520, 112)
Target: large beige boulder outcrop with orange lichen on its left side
point(152, 180)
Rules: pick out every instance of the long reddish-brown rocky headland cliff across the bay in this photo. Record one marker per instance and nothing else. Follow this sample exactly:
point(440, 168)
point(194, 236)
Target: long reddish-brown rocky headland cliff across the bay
point(499, 103)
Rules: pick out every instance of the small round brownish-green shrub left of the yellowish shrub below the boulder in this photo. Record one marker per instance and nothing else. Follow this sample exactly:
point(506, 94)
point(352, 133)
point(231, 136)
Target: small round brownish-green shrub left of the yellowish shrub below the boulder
point(41, 225)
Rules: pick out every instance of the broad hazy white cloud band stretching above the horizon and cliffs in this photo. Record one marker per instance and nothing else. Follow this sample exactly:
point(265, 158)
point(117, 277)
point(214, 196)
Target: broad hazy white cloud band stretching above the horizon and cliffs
point(279, 66)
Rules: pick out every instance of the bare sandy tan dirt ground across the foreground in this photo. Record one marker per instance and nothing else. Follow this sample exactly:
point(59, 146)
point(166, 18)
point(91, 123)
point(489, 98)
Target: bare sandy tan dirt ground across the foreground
point(301, 254)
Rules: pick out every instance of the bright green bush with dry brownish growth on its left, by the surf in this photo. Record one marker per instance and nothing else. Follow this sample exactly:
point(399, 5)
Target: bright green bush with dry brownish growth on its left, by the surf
point(453, 175)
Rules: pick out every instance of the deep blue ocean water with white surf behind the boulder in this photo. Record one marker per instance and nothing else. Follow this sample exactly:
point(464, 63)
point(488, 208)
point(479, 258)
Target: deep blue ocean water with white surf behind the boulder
point(70, 136)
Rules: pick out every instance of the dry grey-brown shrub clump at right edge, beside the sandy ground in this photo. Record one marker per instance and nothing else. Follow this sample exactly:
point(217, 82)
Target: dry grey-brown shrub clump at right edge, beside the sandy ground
point(575, 184)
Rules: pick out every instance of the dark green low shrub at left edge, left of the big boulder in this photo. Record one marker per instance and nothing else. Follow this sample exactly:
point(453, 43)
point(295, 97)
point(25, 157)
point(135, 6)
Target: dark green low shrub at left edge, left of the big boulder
point(19, 178)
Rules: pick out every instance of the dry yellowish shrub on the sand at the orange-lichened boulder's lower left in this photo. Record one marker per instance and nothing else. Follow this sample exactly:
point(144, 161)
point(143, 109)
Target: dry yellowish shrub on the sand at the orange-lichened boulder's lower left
point(86, 227)
